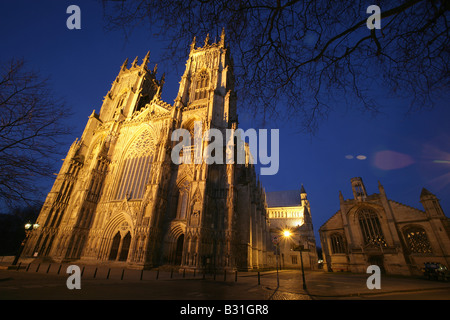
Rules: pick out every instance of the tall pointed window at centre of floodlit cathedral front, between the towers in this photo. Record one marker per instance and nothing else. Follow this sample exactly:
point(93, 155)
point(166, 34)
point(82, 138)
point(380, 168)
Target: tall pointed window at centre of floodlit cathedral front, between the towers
point(136, 168)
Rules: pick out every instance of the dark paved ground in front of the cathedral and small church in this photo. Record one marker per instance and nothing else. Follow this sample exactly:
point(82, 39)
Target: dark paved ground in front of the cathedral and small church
point(48, 282)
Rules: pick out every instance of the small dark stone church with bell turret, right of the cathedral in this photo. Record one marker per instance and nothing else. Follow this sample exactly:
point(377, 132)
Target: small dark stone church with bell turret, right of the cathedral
point(375, 230)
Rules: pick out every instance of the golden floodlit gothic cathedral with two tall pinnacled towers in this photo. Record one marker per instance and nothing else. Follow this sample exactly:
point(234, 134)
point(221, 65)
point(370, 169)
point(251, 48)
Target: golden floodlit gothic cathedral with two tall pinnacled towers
point(120, 199)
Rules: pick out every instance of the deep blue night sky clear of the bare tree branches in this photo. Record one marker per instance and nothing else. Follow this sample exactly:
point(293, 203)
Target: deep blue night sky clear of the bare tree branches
point(405, 153)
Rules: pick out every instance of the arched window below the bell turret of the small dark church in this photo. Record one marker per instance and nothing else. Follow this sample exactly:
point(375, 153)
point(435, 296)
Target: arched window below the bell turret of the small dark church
point(371, 227)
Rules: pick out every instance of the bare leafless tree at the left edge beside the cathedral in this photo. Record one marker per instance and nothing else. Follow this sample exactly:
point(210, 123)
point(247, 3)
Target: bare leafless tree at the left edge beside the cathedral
point(31, 130)
